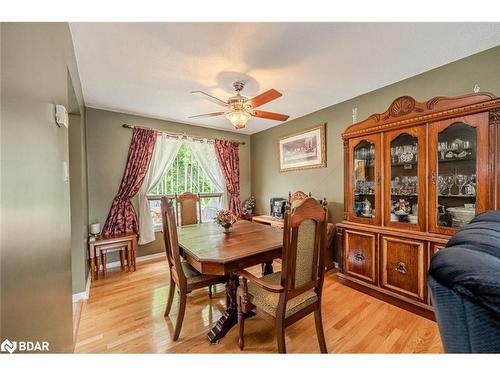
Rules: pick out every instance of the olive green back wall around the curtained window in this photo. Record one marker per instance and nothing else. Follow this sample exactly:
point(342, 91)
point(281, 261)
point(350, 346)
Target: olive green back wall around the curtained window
point(107, 148)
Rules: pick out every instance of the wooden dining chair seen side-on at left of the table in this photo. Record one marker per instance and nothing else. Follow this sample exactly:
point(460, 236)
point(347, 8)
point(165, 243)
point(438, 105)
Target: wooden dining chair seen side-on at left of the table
point(182, 274)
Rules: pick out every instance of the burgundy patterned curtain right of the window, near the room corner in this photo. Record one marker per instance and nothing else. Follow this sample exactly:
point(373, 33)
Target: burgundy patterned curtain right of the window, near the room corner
point(228, 156)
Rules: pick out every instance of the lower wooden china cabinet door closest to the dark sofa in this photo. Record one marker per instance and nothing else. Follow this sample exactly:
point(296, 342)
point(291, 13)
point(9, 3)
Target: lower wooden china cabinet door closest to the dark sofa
point(402, 266)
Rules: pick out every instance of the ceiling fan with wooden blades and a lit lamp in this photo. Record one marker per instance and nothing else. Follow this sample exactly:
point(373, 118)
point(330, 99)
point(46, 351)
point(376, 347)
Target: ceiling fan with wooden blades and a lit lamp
point(241, 109)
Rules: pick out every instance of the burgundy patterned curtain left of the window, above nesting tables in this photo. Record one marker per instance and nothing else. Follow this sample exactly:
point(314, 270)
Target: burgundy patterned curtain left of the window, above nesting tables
point(122, 217)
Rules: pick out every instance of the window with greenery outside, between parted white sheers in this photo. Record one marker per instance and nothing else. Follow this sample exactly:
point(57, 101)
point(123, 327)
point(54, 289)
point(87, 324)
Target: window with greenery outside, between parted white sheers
point(185, 175)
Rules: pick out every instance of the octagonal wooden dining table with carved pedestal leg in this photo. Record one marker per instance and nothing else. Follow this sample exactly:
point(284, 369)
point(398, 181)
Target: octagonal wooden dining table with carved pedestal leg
point(211, 251)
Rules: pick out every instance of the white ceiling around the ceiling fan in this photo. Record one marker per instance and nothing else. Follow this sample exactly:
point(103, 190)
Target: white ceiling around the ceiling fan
point(151, 68)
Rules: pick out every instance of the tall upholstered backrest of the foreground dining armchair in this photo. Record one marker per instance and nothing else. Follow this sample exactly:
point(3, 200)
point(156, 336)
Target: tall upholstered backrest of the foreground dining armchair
point(304, 240)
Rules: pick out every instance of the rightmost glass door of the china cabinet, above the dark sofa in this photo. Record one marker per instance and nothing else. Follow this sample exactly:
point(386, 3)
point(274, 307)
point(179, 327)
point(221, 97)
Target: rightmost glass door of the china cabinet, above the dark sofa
point(458, 154)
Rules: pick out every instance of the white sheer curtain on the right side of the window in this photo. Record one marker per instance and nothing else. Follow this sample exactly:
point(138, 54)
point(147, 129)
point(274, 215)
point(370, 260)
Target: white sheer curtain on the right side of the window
point(204, 153)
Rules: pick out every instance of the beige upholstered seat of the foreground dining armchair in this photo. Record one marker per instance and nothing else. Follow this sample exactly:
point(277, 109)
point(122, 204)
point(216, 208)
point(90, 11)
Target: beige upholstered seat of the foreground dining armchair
point(268, 301)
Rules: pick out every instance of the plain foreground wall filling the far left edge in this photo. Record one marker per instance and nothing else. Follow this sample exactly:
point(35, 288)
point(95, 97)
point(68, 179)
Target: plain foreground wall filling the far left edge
point(38, 70)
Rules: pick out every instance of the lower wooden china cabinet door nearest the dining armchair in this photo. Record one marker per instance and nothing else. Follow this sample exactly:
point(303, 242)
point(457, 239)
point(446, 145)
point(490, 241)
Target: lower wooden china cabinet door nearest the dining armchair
point(360, 255)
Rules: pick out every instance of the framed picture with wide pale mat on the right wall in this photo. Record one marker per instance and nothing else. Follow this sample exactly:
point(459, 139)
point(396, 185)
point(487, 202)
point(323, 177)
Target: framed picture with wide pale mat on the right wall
point(303, 150)
